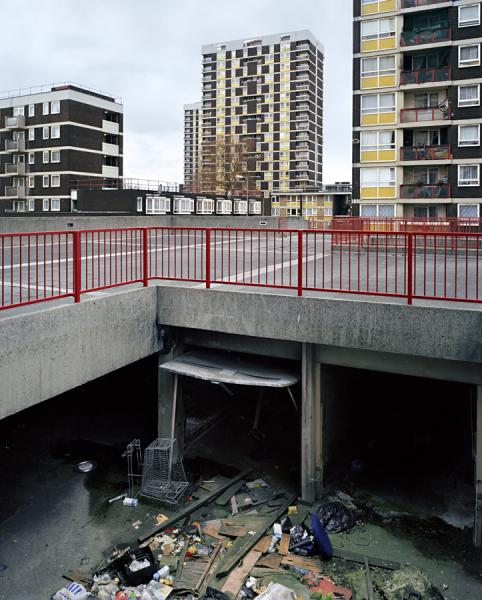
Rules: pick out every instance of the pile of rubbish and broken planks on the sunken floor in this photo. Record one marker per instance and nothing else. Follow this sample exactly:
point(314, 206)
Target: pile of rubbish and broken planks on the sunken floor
point(241, 539)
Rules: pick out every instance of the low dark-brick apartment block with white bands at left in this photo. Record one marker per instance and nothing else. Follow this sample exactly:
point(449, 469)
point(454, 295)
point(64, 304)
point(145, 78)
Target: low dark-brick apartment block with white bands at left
point(51, 137)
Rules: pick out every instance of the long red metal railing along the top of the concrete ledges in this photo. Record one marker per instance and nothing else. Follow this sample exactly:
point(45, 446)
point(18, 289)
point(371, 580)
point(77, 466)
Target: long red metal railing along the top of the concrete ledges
point(354, 259)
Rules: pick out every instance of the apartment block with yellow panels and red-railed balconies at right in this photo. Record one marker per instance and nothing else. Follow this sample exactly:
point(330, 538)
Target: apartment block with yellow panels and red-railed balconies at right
point(417, 113)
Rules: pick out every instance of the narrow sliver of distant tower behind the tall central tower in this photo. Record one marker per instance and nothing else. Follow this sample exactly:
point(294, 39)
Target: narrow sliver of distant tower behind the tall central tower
point(192, 146)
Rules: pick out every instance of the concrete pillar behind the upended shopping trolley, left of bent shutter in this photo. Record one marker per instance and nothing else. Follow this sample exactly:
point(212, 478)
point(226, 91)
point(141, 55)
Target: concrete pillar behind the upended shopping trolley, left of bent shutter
point(165, 391)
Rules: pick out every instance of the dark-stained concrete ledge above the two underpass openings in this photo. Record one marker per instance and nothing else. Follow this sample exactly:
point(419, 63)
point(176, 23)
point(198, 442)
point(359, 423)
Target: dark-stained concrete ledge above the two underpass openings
point(441, 333)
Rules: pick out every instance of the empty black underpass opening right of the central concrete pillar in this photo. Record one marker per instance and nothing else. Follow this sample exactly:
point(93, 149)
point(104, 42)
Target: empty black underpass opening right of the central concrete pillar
point(401, 444)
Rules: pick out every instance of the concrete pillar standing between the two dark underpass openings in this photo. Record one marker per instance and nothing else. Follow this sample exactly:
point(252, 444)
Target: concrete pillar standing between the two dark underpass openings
point(310, 425)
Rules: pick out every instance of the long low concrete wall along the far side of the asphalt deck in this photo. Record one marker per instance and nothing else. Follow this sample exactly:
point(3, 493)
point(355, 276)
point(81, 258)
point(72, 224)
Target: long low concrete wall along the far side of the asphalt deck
point(76, 221)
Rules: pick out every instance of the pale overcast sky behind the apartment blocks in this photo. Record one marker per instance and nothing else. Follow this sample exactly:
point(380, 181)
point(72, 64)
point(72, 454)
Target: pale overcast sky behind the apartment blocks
point(149, 53)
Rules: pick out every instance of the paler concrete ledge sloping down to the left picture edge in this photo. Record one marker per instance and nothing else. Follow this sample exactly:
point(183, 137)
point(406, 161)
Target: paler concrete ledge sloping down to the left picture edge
point(48, 352)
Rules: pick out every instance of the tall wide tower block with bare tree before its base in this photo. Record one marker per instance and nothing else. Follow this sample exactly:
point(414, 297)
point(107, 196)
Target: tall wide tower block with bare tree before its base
point(262, 109)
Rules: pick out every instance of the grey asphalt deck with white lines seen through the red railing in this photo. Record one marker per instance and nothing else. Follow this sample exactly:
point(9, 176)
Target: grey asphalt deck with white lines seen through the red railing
point(34, 268)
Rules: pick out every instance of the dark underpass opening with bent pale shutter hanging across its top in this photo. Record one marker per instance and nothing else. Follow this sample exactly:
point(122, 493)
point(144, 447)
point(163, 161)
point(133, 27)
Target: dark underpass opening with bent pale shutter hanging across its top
point(241, 412)
